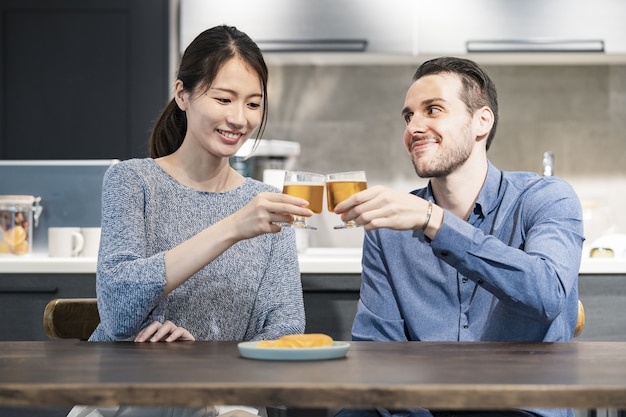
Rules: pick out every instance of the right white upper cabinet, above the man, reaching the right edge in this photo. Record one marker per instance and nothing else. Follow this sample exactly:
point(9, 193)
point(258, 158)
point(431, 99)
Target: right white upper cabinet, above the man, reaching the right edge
point(446, 27)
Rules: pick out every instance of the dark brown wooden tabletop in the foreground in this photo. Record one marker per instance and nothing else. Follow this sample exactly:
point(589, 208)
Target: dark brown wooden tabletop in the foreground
point(417, 374)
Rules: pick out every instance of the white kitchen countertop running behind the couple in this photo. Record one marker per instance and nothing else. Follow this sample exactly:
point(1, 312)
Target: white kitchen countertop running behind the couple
point(312, 261)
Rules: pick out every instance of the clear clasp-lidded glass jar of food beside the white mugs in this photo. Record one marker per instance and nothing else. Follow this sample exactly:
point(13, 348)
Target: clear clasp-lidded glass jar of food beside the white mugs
point(18, 213)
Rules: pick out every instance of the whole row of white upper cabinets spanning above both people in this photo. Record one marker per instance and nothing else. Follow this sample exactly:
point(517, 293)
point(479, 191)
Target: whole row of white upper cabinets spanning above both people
point(402, 32)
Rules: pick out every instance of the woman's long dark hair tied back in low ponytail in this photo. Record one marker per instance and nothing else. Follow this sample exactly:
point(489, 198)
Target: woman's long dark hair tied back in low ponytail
point(199, 66)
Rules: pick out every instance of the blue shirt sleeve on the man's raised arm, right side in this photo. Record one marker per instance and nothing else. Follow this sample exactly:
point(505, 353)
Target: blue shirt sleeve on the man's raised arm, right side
point(530, 258)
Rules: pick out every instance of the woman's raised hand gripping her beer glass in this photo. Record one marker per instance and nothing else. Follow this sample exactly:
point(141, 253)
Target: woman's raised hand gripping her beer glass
point(262, 213)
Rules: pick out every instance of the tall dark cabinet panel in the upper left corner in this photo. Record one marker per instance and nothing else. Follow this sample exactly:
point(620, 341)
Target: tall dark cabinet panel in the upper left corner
point(81, 79)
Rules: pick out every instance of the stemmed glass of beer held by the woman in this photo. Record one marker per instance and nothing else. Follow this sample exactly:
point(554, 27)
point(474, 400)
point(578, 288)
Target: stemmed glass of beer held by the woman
point(306, 185)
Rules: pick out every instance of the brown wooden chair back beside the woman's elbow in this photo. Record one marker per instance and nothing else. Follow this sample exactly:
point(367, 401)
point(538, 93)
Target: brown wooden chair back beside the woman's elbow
point(71, 318)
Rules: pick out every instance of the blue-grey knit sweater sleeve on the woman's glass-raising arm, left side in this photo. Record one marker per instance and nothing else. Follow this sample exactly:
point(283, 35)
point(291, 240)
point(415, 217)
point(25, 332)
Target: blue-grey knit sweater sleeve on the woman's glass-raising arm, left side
point(129, 284)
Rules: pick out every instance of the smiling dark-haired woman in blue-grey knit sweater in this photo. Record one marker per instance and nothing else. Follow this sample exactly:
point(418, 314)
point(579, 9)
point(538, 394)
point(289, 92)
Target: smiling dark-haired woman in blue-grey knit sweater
point(190, 249)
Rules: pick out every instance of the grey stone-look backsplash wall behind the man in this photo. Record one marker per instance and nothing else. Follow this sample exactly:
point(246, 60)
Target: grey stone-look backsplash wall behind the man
point(348, 118)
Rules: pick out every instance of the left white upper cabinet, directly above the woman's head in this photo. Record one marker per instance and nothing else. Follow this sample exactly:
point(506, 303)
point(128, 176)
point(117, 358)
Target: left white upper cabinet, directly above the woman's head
point(308, 26)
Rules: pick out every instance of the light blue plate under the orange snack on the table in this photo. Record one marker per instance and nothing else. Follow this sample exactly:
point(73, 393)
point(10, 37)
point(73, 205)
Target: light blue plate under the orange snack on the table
point(335, 351)
